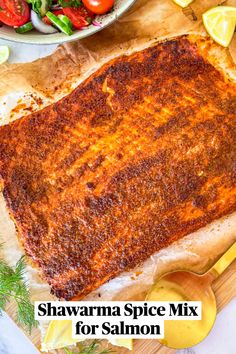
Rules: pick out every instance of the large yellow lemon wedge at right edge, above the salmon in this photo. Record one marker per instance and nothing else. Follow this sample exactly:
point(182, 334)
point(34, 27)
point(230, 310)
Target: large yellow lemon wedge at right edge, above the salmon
point(220, 23)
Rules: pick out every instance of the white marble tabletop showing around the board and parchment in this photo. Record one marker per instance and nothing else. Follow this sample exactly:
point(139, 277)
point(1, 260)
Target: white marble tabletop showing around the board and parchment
point(221, 340)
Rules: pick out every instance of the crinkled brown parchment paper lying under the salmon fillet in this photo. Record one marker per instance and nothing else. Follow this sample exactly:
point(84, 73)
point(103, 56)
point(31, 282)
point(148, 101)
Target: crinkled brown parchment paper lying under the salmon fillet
point(29, 87)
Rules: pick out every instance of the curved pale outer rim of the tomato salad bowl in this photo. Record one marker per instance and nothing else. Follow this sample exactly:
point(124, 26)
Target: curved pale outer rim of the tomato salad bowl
point(76, 36)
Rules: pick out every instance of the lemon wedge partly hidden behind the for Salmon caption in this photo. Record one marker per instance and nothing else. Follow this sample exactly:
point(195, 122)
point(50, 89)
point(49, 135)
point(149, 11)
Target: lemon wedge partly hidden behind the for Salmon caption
point(59, 335)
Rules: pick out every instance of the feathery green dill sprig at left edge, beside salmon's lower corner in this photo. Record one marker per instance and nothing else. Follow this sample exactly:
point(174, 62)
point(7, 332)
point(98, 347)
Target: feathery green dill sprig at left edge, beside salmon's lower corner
point(13, 286)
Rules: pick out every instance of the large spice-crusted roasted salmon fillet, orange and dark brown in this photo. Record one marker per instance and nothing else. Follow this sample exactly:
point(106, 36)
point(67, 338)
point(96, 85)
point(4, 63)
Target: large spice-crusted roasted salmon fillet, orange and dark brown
point(139, 155)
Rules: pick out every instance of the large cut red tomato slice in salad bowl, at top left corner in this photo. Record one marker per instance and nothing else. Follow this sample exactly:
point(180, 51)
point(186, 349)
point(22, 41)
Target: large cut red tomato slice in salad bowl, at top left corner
point(14, 12)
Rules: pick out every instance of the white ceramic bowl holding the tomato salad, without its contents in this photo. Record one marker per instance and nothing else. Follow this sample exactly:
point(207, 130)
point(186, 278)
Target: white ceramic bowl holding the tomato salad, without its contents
point(34, 37)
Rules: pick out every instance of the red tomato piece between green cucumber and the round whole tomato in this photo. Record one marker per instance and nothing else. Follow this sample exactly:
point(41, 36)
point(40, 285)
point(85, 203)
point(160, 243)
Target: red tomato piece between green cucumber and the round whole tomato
point(78, 16)
